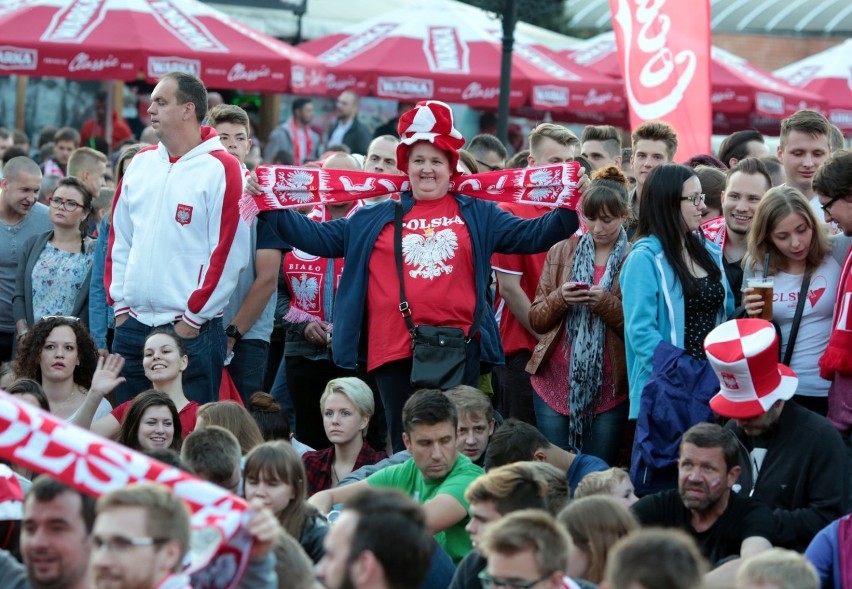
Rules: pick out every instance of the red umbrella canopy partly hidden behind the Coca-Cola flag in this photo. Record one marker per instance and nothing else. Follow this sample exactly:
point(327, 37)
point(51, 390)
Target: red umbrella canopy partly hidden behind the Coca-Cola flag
point(738, 86)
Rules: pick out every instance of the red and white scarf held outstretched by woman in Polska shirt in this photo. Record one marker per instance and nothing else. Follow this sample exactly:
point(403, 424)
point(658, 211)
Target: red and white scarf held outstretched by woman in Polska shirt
point(284, 187)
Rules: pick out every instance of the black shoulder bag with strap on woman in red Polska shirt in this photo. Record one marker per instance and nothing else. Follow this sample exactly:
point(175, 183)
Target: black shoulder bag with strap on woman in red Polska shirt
point(439, 354)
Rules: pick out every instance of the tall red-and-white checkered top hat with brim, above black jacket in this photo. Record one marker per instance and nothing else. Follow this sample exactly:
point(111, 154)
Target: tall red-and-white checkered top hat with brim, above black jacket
point(744, 356)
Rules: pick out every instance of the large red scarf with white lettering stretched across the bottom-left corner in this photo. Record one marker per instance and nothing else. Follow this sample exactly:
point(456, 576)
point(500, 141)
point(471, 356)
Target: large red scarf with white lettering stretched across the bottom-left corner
point(94, 465)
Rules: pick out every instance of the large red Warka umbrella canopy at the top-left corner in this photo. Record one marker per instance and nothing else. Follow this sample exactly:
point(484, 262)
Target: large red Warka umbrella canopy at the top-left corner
point(129, 39)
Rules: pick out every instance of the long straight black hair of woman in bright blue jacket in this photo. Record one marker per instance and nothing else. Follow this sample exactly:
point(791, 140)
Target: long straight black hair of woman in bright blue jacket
point(660, 215)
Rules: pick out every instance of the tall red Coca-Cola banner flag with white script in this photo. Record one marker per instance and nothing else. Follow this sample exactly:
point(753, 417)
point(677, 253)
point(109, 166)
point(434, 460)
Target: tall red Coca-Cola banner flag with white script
point(664, 49)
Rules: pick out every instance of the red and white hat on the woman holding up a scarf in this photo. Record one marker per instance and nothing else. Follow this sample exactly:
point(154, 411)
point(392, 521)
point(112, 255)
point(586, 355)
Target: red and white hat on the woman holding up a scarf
point(432, 121)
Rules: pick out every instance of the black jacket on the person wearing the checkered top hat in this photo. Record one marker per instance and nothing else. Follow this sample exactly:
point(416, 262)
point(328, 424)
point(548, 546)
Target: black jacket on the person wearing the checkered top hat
point(803, 477)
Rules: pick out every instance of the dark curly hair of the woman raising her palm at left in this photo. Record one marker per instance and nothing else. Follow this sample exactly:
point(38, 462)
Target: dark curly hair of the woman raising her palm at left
point(28, 358)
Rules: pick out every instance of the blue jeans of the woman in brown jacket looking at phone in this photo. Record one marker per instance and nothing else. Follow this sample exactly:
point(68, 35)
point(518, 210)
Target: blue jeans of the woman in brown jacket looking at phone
point(603, 439)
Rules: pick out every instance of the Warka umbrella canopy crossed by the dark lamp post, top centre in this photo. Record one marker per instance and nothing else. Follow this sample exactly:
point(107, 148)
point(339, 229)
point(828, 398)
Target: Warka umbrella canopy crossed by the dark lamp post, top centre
point(451, 51)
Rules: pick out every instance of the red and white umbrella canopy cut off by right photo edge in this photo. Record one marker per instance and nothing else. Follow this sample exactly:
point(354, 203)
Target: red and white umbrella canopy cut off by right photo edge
point(829, 74)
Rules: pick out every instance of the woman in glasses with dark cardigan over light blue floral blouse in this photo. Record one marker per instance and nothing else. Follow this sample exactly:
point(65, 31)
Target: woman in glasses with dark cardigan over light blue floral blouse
point(54, 268)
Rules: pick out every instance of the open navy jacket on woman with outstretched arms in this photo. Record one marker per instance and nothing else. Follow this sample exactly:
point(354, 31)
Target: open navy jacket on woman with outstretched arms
point(491, 230)
